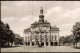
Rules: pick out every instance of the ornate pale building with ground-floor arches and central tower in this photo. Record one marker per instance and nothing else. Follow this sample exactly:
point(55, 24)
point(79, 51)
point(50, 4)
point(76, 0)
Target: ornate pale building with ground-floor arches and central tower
point(41, 33)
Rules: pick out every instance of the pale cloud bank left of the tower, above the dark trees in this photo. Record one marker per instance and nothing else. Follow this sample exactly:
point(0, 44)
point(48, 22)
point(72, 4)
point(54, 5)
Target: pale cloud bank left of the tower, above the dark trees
point(17, 25)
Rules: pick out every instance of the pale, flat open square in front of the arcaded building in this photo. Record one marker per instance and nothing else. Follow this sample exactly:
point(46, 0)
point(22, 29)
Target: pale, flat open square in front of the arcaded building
point(40, 49)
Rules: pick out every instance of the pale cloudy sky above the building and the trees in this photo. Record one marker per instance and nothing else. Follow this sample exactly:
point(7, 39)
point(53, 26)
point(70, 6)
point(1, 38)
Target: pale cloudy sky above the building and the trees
point(21, 14)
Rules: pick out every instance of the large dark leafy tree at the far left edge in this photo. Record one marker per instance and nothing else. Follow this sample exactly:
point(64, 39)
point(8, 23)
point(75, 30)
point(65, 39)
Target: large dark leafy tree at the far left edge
point(7, 36)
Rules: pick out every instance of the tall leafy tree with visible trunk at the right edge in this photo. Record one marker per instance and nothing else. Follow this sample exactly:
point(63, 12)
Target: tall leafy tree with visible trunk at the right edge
point(76, 32)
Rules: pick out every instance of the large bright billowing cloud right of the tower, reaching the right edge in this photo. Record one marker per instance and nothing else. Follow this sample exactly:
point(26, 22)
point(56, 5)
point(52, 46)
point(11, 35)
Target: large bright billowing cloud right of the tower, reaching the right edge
point(63, 18)
